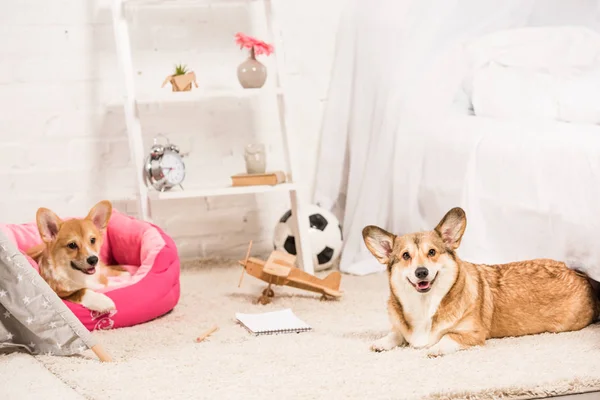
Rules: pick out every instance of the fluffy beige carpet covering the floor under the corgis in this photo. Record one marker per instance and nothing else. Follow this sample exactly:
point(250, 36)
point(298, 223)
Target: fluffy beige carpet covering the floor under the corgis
point(159, 360)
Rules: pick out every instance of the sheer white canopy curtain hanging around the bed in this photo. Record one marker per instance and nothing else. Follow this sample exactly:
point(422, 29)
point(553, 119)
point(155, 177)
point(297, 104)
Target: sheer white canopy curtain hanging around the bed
point(395, 60)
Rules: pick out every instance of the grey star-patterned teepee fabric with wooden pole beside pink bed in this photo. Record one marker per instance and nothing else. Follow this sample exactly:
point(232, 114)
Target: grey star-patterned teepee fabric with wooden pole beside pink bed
point(32, 317)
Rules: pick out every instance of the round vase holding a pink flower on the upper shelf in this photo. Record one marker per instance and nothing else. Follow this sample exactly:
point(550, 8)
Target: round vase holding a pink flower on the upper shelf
point(252, 73)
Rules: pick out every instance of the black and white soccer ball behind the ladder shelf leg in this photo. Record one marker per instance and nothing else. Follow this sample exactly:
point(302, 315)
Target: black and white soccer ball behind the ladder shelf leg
point(325, 235)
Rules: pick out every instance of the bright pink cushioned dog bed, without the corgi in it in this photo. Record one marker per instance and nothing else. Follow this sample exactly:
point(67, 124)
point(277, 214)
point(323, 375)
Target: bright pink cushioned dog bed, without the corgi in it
point(141, 247)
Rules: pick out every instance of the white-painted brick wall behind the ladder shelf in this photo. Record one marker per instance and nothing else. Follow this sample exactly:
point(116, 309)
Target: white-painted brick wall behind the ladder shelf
point(63, 139)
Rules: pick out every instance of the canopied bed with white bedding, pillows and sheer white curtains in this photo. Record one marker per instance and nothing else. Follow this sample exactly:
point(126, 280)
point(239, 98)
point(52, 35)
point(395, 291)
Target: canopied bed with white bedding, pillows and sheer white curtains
point(472, 111)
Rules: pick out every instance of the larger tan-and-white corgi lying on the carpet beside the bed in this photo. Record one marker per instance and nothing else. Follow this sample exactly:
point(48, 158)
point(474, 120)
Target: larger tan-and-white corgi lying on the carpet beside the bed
point(444, 304)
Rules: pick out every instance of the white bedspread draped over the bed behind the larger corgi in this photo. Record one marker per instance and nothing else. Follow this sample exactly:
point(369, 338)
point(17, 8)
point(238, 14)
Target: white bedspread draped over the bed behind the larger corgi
point(530, 189)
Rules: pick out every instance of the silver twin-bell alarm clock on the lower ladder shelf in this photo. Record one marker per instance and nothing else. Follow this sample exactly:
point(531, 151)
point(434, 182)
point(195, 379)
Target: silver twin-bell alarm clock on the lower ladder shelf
point(164, 167)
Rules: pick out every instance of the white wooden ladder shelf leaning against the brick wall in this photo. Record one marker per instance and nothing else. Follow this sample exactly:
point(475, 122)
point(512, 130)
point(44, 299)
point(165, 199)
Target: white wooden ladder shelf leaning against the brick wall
point(134, 131)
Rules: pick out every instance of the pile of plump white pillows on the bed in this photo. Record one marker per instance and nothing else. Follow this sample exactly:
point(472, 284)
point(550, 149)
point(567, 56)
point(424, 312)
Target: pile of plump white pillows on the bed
point(536, 73)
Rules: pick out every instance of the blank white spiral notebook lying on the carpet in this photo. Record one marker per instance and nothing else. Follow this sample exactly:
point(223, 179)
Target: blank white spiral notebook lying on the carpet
point(283, 321)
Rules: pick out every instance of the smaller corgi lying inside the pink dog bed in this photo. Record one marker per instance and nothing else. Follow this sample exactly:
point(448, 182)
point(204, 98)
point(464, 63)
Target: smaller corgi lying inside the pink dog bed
point(69, 260)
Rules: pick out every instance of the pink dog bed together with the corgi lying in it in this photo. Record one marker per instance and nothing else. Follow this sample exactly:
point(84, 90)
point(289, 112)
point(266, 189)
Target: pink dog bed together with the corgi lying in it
point(110, 269)
